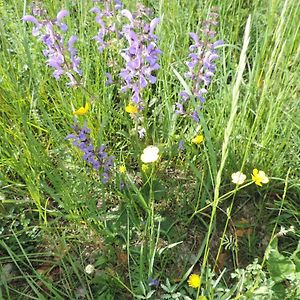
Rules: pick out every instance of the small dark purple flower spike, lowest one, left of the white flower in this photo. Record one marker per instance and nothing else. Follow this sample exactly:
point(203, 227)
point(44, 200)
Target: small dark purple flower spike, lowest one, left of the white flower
point(98, 158)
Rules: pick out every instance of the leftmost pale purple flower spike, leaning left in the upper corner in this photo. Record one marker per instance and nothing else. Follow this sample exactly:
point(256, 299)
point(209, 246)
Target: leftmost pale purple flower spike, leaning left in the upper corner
point(63, 59)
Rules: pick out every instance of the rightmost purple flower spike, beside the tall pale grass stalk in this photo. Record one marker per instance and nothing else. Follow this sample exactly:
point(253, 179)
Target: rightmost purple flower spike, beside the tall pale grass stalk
point(201, 66)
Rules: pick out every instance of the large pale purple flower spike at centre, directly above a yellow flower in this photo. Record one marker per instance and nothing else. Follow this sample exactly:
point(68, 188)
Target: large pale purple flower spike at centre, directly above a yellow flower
point(141, 56)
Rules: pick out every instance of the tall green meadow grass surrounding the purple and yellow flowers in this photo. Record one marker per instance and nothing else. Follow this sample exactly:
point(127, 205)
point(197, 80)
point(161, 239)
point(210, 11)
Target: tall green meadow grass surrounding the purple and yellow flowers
point(182, 216)
